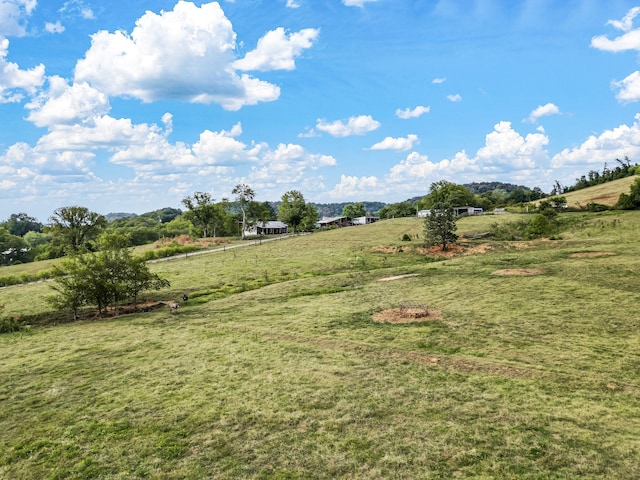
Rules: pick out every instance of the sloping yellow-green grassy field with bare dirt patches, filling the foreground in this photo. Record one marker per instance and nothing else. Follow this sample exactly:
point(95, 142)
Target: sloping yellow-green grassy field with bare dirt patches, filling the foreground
point(275, 368)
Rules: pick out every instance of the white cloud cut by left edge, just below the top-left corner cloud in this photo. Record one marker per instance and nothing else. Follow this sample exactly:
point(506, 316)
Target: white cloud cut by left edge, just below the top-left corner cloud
point(13, 80)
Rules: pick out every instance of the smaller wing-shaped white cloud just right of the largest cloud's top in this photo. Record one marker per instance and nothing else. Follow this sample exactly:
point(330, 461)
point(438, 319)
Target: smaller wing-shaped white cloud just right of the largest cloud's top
point(277, 50)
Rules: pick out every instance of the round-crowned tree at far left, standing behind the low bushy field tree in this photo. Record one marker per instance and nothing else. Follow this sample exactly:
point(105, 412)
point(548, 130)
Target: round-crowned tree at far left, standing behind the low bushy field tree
point(75, 228)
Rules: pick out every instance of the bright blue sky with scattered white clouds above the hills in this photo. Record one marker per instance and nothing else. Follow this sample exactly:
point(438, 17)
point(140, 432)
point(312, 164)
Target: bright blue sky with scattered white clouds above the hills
point(133, 106)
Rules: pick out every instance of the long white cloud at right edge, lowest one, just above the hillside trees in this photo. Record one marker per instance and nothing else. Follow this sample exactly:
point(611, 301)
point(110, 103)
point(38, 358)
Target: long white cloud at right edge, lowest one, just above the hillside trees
point(619, 142)
